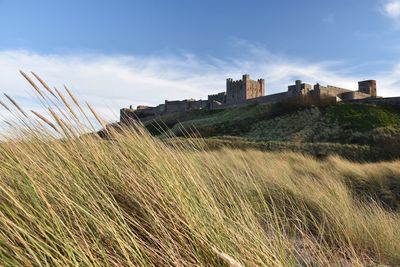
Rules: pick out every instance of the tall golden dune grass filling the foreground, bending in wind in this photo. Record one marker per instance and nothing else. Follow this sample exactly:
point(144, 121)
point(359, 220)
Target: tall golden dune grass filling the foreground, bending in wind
point(73, 199)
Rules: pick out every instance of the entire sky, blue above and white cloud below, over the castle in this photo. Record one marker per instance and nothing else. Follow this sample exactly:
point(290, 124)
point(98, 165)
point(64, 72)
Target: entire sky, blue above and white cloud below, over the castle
point(129, 52)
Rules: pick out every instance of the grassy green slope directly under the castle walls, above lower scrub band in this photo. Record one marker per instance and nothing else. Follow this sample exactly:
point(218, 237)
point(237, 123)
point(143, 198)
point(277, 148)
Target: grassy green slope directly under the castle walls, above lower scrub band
point(285, 122)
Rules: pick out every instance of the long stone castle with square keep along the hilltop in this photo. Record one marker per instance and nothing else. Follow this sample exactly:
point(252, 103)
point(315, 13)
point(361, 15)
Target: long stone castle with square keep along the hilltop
point(247, 91)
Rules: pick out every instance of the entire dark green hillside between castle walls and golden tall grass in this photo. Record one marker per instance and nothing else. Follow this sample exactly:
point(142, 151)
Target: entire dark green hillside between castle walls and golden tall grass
point(347, 129)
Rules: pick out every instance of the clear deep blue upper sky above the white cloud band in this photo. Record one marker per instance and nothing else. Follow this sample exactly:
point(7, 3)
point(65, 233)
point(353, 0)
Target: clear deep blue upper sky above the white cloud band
point(354, 30)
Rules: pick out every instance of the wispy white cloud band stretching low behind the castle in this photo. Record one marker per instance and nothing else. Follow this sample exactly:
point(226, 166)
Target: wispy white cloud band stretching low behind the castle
point(111, 82)
